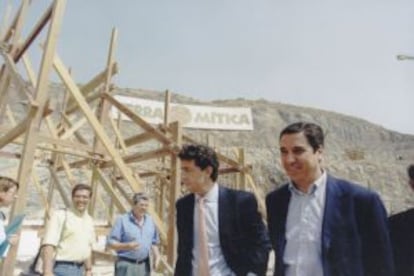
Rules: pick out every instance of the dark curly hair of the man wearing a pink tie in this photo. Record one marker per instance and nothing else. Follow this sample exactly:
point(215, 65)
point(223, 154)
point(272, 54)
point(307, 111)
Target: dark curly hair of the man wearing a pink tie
point(203, 157)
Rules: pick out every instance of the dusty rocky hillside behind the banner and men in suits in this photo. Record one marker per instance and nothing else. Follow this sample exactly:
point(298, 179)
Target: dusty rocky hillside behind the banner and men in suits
point(356, 149)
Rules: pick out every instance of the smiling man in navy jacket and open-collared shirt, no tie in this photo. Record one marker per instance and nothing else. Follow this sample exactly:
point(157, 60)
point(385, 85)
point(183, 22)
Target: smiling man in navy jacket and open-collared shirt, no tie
point(322, 225)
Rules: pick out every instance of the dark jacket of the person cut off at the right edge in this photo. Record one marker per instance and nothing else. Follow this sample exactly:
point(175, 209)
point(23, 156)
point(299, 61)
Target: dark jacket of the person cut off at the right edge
point(402, 240)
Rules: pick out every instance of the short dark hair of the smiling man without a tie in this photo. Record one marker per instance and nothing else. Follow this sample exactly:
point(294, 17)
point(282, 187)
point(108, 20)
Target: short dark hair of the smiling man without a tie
point(313, 133)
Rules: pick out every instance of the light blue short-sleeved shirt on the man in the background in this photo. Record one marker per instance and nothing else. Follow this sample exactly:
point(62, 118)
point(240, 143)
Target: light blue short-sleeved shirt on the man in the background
point(126, 229)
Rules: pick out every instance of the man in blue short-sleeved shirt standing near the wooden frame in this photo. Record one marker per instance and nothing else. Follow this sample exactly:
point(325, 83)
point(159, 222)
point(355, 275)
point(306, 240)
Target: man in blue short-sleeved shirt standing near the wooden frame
point(133, 237)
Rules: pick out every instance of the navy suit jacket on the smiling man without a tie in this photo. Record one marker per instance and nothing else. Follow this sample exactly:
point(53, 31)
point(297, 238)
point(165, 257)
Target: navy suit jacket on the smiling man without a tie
point(355, 239)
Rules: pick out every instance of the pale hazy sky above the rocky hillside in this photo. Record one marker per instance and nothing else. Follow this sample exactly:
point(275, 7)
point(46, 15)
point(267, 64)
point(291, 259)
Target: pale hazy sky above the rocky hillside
point(336, 55)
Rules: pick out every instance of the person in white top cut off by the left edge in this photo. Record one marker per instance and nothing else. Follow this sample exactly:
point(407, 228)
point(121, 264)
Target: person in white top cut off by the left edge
point(8, 193)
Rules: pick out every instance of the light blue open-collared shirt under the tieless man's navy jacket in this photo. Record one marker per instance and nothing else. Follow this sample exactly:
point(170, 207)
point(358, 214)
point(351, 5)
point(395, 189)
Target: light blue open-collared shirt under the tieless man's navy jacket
point(302, 255)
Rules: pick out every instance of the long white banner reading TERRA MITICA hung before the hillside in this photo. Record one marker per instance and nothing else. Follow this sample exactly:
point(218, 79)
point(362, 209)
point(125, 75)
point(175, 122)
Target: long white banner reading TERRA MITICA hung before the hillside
point(191, 116)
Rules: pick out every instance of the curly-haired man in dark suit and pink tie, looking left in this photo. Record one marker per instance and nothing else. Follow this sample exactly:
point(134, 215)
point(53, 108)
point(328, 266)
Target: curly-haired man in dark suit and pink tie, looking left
point(236, 241)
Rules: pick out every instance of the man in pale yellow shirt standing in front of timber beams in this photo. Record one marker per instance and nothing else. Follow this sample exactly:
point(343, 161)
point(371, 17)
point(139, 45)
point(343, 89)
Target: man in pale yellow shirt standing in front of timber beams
point(67, 245)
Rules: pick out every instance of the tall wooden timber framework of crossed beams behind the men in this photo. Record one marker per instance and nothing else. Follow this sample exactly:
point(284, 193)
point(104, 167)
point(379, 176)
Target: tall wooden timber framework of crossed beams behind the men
point(55, 134)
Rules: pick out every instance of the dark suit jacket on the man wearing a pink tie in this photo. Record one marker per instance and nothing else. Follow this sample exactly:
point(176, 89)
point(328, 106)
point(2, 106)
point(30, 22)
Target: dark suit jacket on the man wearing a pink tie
point(243, 237)
